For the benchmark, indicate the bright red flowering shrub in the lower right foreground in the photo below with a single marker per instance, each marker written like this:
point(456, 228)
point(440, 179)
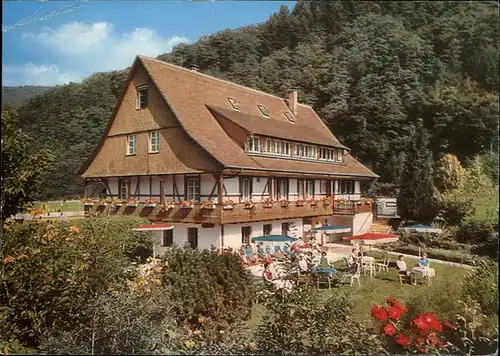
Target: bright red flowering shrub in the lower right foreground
point(424, 333)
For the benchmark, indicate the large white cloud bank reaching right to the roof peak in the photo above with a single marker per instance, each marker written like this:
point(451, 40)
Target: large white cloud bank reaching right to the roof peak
point(82, 49)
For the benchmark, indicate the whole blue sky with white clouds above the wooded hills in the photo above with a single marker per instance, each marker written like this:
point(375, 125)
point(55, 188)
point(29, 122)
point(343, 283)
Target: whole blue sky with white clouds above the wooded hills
point(102, 36)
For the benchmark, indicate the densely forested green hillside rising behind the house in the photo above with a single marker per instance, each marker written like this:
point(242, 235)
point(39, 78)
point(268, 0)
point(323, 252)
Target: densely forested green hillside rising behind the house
point(369, 69)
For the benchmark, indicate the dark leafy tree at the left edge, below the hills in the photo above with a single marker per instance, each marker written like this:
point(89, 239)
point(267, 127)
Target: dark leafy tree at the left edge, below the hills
point(23, 168)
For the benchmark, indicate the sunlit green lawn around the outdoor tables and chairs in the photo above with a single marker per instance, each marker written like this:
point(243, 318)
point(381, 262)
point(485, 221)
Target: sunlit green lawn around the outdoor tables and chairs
point(384, 285)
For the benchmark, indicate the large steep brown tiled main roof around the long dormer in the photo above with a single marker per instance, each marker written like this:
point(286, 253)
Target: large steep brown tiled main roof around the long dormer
point(189, 94)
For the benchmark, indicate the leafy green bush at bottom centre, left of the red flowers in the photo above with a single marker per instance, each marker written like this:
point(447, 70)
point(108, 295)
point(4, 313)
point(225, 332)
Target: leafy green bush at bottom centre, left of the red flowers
point(299, 322)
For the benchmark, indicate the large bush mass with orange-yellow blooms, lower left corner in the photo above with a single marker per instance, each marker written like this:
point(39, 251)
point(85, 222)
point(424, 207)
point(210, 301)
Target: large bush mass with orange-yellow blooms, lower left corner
point(51, 271)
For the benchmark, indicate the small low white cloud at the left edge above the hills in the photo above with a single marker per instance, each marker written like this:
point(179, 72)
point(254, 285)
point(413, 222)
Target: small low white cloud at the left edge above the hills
point(32, 74)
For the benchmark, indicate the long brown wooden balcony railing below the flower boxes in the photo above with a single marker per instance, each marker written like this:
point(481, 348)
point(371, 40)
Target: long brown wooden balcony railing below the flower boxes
point(238, 213)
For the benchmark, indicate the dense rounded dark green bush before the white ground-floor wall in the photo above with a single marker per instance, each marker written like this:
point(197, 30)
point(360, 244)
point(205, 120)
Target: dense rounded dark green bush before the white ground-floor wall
point(210, 285)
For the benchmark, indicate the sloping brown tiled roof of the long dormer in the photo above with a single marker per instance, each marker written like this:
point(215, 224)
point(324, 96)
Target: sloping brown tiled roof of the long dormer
point(277, 128)
